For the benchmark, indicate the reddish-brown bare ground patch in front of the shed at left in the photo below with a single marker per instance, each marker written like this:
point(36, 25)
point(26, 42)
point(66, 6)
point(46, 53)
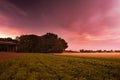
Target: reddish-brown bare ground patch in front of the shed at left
point(4, 56)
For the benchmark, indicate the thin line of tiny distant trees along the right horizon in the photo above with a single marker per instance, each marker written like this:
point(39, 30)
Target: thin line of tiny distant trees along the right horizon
point(99, 51)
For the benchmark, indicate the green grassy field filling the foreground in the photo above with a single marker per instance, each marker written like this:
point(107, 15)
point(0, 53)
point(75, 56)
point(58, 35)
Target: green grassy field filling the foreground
point(52, 67)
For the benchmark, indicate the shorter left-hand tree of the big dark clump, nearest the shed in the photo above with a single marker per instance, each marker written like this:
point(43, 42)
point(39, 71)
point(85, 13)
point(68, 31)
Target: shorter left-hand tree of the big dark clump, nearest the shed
point(27, 43)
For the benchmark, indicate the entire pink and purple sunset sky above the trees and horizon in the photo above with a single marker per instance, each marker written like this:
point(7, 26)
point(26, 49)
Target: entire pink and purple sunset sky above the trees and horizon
point(84, 24)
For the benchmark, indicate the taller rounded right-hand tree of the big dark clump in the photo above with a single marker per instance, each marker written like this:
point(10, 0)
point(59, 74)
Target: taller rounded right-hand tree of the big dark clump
point(51, 43)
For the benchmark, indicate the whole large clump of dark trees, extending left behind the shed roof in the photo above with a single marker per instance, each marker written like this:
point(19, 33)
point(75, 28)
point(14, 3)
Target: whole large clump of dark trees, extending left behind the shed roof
point(48, 43)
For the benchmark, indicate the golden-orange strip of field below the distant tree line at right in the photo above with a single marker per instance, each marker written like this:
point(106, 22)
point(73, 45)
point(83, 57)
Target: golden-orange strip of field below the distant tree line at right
point(96, 55)
